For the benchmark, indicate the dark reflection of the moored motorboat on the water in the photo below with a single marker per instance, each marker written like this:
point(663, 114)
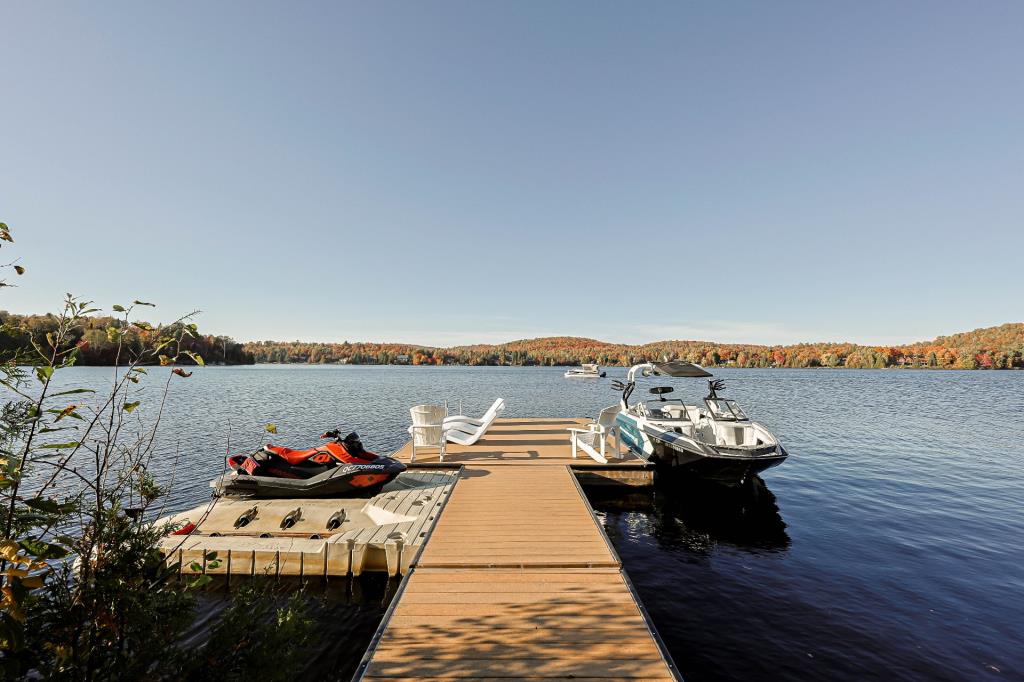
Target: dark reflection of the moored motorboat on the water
point(701, 516)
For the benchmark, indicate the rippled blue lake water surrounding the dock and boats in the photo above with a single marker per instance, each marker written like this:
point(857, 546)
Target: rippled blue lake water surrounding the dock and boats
point(889, 546)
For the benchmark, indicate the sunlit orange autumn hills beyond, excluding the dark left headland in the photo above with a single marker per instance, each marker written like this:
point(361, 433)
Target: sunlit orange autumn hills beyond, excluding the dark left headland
point(994, 348)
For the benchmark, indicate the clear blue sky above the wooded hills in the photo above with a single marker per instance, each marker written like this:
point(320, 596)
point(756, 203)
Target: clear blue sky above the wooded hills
point(441, 173)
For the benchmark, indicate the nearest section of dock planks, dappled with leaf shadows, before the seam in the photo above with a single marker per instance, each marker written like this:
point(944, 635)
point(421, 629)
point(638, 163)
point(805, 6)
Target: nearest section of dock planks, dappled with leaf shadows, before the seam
point(529, 624)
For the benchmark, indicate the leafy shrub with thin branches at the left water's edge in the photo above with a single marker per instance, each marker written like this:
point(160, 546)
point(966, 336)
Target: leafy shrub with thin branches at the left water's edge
point(86, 594)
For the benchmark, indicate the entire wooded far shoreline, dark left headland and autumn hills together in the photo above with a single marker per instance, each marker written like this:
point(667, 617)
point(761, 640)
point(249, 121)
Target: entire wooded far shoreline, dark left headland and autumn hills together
point(991, 349)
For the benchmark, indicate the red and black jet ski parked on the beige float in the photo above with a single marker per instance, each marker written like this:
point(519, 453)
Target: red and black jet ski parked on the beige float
point(339, 468)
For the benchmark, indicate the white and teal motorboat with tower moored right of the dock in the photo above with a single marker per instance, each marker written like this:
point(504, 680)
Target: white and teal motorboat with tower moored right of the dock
point(714, 441)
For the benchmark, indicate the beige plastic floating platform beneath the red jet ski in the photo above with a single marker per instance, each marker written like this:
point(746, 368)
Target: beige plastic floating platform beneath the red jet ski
point(380, 534)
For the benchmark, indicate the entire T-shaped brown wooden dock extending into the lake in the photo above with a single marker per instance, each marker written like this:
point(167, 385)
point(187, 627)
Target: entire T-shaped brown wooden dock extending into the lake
point(518, 579)
